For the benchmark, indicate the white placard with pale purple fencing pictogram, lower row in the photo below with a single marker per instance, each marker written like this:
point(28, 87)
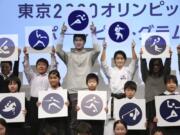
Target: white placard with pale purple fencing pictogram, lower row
point(52, 104)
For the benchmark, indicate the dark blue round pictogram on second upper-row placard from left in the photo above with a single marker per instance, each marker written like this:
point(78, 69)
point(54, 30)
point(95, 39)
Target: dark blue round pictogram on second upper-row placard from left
point(38, 39)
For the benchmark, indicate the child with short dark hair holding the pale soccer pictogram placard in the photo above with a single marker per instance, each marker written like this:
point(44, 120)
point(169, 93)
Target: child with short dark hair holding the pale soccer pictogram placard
point(92, 81)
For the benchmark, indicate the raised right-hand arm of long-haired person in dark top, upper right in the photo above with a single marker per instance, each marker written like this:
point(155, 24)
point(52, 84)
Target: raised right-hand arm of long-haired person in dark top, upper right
point(167, 65)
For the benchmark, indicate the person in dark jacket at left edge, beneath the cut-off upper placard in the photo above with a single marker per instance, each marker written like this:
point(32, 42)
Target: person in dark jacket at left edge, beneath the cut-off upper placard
point(8, 70)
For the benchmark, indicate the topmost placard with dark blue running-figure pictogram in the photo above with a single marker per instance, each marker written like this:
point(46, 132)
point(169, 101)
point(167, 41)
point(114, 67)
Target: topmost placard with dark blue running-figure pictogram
point(78, 20)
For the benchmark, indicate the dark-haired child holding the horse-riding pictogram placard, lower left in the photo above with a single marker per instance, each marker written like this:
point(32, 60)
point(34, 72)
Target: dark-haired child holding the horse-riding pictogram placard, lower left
point(14, 85)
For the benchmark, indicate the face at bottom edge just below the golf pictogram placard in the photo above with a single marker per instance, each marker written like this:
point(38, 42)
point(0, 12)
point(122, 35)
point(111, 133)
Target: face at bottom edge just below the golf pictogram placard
point(120, 129)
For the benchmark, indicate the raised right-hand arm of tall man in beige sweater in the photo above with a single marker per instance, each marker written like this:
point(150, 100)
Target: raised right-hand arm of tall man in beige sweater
point(96, 48)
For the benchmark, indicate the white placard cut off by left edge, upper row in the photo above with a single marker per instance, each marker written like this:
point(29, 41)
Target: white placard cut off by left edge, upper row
point(9, 47)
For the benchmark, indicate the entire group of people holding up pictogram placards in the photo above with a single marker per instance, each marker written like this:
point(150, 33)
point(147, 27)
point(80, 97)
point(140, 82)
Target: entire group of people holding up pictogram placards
point(79, 76)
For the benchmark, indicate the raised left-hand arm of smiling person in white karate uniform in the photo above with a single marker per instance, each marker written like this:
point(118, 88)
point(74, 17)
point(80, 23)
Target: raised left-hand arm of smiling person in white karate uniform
point(105, 67)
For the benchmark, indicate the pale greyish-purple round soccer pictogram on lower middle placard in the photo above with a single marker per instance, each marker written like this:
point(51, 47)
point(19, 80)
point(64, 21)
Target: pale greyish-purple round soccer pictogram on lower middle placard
point(92, 104)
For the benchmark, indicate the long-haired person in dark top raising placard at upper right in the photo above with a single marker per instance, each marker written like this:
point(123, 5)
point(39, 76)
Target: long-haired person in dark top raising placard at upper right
point(153, 79)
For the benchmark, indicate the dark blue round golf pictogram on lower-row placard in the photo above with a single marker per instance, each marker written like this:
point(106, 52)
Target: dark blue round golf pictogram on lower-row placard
point(131, 113)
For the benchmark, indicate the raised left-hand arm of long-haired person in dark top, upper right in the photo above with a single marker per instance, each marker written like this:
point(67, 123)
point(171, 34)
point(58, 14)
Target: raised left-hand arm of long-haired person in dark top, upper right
point(144, 69)
